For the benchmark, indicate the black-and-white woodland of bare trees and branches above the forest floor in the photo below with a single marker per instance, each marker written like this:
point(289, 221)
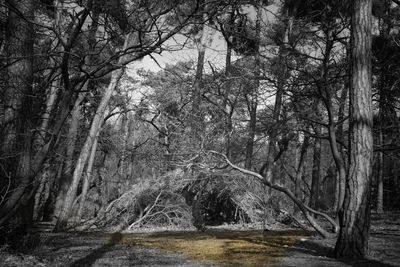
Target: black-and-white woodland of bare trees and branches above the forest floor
point(299, 123)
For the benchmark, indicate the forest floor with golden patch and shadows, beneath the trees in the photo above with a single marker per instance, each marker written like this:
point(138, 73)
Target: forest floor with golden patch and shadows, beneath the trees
point(218, 246)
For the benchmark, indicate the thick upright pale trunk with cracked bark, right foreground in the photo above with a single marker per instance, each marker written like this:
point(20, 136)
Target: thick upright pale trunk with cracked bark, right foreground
point(355, 219)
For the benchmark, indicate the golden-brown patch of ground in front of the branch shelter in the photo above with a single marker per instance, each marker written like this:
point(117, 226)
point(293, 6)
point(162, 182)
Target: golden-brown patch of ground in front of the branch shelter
point(236, 248)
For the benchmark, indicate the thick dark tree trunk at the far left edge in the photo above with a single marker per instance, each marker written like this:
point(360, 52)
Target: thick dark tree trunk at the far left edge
point(16, 147)
